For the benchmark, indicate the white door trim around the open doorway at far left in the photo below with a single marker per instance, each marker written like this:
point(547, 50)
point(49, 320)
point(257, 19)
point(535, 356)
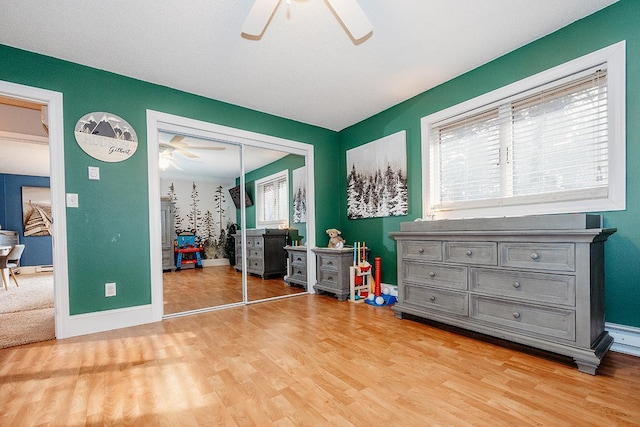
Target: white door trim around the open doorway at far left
point(53, 100)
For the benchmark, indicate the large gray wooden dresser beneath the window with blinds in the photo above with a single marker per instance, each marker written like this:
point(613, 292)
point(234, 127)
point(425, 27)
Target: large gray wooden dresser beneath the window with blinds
point(536, 280)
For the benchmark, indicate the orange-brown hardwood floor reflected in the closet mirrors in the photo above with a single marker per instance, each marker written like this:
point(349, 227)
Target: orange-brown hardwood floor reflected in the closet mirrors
point(193, 289)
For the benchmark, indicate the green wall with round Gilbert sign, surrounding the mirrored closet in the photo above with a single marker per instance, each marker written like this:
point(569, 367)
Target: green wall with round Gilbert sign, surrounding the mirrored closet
point(107, 236)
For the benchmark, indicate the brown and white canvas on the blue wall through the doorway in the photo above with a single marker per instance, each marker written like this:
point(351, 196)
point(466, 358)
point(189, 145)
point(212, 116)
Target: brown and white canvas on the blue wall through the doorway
point(36, 211)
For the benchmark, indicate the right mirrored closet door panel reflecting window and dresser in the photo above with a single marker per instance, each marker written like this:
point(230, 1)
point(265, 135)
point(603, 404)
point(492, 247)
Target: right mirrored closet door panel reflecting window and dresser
point(276, 224)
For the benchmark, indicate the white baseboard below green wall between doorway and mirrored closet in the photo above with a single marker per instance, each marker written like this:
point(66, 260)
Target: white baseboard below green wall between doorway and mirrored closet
point(101, 321)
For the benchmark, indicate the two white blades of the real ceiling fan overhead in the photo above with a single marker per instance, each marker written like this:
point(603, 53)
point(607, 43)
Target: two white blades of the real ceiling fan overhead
point(347, 11)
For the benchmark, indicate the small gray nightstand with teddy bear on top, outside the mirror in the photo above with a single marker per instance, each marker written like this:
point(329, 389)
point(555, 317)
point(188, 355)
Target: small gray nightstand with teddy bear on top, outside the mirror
point(332, 268)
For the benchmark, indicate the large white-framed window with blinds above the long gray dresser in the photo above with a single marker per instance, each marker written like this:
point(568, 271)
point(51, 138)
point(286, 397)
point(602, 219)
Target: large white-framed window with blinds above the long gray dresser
point(548, 144)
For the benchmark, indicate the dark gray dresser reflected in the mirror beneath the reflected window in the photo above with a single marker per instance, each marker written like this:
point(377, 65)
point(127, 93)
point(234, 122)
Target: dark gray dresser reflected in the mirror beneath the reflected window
point(265, 252)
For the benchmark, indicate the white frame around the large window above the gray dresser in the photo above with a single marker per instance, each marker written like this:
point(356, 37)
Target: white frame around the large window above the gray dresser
point(613, 57)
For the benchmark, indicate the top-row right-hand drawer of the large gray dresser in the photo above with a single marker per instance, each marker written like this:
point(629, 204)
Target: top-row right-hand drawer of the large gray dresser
point(539, 256)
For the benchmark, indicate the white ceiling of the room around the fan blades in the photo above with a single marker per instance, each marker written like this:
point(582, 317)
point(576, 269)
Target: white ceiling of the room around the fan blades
point(305, 67)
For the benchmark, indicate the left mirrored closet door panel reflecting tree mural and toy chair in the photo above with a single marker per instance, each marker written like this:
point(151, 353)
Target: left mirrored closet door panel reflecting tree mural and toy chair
point(198, 220)
